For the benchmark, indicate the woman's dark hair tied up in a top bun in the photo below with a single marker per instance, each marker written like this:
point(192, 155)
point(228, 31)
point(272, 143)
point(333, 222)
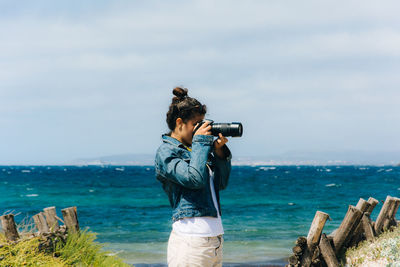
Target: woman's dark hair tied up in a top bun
point(183, 107)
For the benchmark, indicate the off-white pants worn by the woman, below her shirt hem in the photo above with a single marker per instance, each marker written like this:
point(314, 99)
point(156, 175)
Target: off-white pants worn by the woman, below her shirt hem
point(193, 251)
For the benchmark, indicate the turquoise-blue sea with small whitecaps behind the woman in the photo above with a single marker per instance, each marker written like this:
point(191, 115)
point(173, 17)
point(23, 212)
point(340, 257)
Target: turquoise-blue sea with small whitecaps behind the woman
point(264, 208)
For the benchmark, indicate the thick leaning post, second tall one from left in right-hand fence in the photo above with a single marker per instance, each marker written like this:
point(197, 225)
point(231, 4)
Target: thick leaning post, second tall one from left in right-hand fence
point(352, 218)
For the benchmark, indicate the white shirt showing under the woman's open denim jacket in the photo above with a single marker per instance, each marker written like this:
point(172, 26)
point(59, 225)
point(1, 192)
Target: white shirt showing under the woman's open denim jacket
point(201, 226)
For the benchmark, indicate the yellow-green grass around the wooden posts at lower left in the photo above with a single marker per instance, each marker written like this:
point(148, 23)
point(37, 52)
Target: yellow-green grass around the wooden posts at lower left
point(77, 250)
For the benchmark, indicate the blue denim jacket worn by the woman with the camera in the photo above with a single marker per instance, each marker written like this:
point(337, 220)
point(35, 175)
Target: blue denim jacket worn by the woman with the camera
point(185, 176)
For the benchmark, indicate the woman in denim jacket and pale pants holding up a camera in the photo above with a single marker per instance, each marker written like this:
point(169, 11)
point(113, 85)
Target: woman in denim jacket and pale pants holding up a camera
point(193, 168)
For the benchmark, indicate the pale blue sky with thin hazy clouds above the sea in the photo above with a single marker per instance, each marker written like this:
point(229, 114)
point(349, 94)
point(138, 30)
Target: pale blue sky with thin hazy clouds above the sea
point(84, 79)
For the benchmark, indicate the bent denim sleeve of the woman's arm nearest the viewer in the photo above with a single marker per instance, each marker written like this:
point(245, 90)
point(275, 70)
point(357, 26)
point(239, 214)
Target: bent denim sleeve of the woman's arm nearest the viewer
point(192, 174)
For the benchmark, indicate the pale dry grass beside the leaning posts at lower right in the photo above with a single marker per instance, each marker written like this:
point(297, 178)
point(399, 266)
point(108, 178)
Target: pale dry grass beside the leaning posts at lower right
point(383, 251)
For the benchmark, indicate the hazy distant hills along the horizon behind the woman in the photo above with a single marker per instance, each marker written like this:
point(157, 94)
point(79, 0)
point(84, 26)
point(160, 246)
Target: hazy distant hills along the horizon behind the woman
point(287, 158)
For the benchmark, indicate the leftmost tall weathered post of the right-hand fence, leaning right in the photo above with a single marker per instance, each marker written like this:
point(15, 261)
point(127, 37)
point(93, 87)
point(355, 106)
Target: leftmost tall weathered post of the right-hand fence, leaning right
point(313, 237)
